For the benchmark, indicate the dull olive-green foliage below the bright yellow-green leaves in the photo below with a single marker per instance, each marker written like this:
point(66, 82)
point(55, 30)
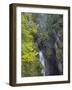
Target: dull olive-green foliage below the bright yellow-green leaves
point(31, 68)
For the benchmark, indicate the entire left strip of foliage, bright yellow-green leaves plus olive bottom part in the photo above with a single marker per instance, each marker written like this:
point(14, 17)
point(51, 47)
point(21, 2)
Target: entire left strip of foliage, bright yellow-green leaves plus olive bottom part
point(29, 52)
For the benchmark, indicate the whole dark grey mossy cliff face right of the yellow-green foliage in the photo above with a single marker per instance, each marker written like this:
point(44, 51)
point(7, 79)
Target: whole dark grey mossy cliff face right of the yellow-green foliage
point(49, 39)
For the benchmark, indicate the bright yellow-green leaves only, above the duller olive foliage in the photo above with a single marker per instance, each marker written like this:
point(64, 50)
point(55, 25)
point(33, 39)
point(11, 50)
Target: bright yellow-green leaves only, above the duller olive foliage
point(28, 29)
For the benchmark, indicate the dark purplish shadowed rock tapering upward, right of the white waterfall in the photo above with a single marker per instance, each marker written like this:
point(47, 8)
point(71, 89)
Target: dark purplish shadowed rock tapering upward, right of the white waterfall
point(53, 65)
